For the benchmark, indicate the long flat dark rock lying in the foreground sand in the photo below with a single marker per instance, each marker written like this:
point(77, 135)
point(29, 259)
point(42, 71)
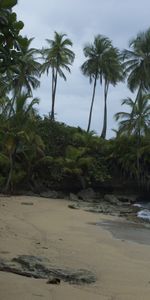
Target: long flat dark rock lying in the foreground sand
point(38, 267)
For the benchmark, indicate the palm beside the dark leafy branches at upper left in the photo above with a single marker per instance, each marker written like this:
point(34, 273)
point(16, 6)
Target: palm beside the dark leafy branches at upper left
point(24, 74)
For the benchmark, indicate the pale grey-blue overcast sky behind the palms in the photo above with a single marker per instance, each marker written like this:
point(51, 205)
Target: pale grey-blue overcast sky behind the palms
point(81, 20)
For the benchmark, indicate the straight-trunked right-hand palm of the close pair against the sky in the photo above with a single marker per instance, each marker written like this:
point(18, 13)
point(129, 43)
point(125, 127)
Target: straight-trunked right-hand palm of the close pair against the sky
point(112, 74)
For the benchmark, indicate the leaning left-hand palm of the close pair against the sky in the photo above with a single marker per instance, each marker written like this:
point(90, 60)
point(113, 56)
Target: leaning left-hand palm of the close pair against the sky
point(92, 67)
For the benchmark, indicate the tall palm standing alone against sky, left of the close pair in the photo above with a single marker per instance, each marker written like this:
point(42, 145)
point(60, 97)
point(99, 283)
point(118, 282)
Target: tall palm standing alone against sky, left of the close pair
point(57, 57)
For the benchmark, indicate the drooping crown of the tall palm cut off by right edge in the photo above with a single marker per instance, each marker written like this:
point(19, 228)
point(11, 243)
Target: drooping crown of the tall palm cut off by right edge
point(137, 63)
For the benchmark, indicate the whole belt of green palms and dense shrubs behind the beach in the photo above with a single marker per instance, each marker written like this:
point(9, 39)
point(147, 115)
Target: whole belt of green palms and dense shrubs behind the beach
point(37, 152)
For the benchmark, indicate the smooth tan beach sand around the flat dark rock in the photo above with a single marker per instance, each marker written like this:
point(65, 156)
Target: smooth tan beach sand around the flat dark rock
point(68, 238)
